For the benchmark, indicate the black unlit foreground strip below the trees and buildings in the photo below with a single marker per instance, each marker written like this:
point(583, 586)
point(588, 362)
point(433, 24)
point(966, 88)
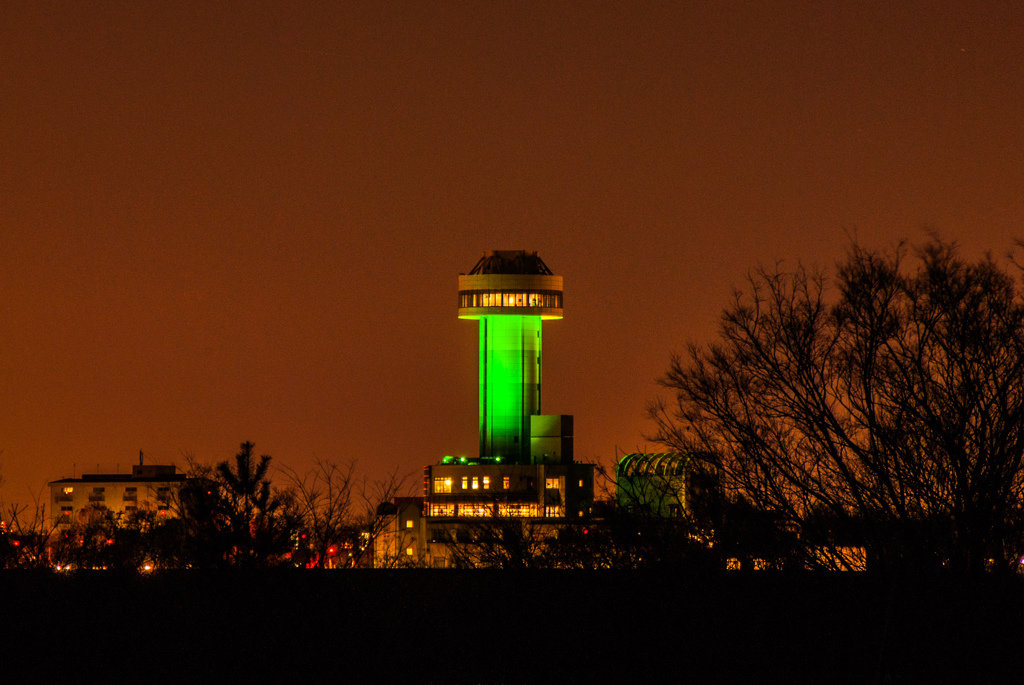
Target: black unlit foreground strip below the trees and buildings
point(485, 627)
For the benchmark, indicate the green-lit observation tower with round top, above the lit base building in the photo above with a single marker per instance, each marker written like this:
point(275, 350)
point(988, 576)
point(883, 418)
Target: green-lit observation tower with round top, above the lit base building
point(510, 293)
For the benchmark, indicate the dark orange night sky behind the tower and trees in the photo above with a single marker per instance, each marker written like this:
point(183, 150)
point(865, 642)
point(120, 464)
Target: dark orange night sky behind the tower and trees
point(230, 222)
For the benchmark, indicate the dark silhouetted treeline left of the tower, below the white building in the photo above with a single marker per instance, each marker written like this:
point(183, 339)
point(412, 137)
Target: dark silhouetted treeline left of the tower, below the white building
point(230, 516)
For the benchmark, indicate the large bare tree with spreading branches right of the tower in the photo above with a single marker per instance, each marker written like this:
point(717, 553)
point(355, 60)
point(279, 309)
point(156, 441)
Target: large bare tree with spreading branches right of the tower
point(885, 405)
